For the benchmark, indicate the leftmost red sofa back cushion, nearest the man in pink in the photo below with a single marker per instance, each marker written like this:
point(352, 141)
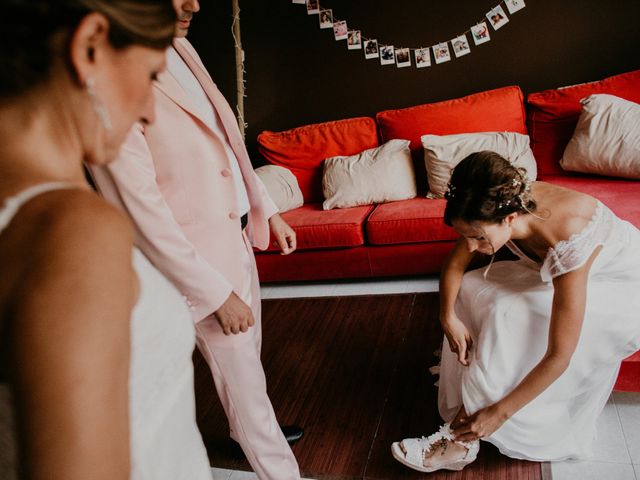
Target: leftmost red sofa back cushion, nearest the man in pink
point(302, 150)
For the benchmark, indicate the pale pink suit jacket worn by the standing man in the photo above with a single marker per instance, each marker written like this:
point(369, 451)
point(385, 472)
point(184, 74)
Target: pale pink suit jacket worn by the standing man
point(174, 180)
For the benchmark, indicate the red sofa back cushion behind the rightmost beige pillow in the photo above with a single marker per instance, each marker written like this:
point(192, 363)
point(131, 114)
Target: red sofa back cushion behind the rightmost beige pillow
point(552, 115)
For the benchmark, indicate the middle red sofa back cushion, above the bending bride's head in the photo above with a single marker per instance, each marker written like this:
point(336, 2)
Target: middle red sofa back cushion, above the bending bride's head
point(491, 111)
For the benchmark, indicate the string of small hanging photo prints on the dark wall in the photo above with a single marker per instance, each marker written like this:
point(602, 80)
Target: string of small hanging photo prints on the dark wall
point(401, 57)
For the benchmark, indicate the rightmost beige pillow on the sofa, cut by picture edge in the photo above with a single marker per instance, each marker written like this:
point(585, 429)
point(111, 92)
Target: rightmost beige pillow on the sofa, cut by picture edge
point(607, 138)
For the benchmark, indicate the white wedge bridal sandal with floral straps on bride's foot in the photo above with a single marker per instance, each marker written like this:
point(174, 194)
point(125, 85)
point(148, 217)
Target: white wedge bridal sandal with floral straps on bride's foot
point(417, 448)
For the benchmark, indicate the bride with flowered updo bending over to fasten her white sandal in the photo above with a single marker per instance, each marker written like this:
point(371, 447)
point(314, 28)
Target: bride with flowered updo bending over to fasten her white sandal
point(532, 347)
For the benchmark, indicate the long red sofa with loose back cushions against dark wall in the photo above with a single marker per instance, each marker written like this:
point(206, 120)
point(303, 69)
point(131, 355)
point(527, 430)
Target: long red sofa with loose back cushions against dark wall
point(409, 237)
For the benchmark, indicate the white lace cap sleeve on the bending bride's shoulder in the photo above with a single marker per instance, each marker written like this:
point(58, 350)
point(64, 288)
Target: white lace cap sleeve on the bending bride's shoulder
point(571, 254)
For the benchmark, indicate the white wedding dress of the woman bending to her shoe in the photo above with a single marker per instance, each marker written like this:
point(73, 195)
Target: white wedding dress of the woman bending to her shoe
point(508, 318)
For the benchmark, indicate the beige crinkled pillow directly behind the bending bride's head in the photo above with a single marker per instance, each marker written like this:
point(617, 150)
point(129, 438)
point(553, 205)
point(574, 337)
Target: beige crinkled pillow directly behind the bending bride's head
point(443, 152)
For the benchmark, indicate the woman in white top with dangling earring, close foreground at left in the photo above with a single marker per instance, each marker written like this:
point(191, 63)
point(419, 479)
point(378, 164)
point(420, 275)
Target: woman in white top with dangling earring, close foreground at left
point(96, 379)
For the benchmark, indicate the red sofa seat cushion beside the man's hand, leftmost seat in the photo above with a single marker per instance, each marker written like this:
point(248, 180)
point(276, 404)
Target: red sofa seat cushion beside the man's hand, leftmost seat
point(318, 228)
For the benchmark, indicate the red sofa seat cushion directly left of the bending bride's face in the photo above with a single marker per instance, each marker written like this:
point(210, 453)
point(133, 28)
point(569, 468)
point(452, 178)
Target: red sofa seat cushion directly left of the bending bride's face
point(409, 221)
